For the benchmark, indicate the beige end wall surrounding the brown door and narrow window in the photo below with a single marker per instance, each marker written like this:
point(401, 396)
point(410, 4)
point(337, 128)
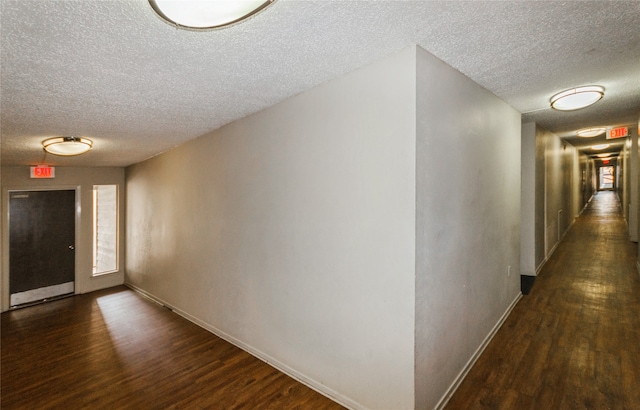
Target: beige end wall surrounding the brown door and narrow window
point(81, 180)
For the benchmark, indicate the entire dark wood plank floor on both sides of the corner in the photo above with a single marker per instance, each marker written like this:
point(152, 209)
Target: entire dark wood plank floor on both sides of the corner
point(573, 343)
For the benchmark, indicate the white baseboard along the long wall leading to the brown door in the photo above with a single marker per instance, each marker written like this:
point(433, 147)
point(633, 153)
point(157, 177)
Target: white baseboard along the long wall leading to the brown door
point(312, 384)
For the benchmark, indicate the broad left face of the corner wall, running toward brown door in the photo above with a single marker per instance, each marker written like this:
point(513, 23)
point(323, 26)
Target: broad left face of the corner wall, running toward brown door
point(292, 233)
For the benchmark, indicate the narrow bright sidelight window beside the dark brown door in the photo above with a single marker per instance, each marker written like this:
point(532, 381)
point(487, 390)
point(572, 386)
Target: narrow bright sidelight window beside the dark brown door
point(105, 229)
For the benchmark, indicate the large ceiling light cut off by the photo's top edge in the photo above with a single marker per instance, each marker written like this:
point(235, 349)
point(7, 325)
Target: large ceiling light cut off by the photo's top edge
point(207, 14)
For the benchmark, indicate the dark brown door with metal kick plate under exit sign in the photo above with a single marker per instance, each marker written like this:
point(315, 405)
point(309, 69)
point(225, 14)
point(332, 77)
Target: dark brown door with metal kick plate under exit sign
point(41, 243)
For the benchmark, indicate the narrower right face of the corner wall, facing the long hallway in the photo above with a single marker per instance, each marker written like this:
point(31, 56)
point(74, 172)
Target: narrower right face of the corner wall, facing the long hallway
point(468, 222)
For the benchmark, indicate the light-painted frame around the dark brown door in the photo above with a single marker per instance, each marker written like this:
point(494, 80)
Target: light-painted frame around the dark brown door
point(5, 296)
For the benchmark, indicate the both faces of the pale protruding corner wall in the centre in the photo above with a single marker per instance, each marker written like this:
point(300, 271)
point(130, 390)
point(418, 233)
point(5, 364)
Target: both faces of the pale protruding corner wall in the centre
point(294, 233)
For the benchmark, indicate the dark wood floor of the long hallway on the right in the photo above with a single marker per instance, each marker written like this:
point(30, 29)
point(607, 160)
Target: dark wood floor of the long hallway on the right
point(574, 341)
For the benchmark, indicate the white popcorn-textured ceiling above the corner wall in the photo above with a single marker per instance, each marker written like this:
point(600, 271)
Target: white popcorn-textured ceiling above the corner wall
point(112, 71)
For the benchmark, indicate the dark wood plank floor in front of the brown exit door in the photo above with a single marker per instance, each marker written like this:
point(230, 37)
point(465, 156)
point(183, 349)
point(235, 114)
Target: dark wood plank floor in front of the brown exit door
point(114, 349)
